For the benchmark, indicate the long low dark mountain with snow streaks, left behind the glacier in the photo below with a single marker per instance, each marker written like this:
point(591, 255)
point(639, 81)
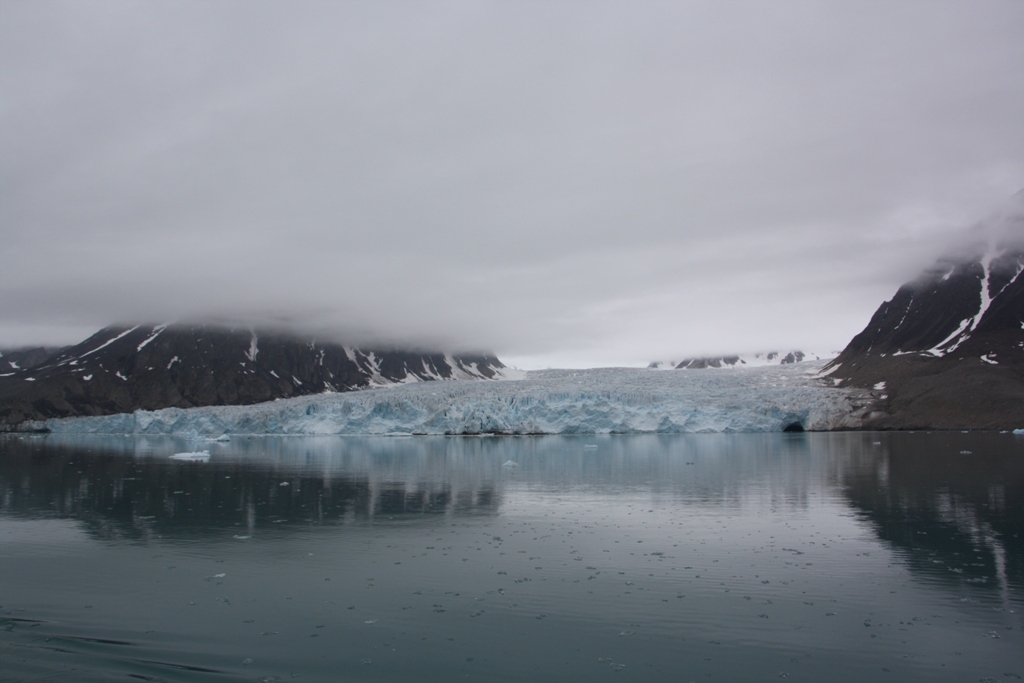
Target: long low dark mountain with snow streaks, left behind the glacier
point(122, 369)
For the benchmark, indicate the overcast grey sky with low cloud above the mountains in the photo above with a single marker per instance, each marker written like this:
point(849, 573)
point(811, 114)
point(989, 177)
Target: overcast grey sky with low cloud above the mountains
point(568, 184)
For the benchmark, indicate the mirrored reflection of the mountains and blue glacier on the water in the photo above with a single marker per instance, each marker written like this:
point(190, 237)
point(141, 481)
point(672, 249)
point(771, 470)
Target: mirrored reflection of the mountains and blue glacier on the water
point(954, 513)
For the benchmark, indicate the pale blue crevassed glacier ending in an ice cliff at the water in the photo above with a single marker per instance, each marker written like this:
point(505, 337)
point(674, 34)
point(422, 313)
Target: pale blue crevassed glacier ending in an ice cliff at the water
point(550, 402)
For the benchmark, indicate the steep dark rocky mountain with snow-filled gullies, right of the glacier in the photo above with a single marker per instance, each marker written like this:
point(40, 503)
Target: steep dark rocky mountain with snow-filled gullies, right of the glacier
point(948, 352)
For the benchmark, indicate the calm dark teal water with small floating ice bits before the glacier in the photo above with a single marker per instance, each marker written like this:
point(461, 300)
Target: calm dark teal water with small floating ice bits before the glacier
point(813, 558)
